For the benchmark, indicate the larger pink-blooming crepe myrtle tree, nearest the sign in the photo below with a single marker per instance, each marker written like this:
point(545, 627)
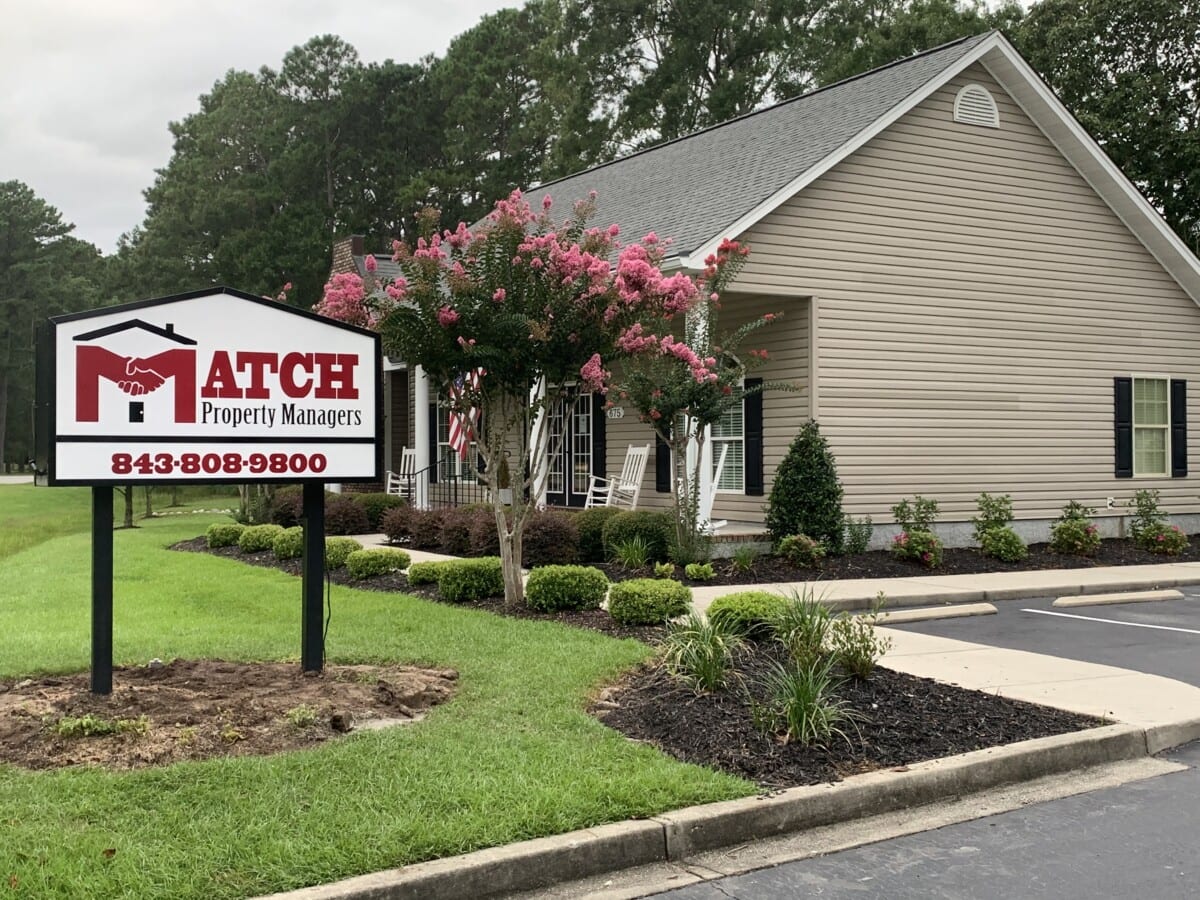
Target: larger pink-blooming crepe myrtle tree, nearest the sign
point(530, 305)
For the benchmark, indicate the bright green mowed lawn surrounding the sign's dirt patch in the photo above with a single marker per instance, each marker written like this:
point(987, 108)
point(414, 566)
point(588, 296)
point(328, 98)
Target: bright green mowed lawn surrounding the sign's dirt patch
point(513, 757)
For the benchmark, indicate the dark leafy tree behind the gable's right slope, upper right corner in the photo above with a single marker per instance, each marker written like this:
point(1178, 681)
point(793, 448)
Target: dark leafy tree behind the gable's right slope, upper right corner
point(1131, 74)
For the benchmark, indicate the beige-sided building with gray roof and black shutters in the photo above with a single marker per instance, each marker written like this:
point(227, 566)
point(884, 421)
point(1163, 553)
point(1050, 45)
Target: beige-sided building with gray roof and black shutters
point(974, 297)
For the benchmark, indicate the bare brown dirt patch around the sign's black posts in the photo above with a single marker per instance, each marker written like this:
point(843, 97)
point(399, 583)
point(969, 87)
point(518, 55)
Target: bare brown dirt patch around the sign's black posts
point(197, 710)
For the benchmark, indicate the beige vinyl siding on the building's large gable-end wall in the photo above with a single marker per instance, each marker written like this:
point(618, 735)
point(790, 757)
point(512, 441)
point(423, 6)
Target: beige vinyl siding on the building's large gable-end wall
point(976, 298)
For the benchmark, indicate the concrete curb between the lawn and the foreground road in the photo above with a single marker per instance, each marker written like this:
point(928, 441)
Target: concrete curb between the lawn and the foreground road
point(673, 837)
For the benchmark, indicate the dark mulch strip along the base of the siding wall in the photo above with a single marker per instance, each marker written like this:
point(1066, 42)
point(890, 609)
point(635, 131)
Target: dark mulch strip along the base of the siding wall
point(881, 565)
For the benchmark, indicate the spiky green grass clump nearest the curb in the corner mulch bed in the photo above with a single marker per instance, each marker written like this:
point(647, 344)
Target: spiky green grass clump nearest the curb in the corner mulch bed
point(802, 705)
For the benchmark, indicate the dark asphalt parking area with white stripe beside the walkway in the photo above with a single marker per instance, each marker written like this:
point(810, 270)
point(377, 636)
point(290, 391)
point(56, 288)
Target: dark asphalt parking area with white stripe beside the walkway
point(1161, 638)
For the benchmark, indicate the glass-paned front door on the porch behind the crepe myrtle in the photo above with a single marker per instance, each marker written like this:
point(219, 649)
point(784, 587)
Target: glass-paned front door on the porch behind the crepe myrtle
point(577, 449)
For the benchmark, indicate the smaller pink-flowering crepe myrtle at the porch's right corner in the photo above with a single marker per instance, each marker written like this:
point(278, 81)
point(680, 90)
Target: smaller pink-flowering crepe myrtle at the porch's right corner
point(685, 386)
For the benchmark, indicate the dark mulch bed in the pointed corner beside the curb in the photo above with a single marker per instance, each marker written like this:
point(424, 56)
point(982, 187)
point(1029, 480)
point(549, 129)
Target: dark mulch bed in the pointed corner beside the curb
point(904, 721)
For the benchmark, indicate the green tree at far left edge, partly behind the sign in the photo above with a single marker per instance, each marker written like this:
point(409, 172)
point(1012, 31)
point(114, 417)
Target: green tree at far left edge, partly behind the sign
point(44, 272)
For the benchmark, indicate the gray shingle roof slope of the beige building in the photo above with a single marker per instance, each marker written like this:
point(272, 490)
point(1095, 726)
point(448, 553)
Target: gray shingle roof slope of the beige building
point(695, 188)
